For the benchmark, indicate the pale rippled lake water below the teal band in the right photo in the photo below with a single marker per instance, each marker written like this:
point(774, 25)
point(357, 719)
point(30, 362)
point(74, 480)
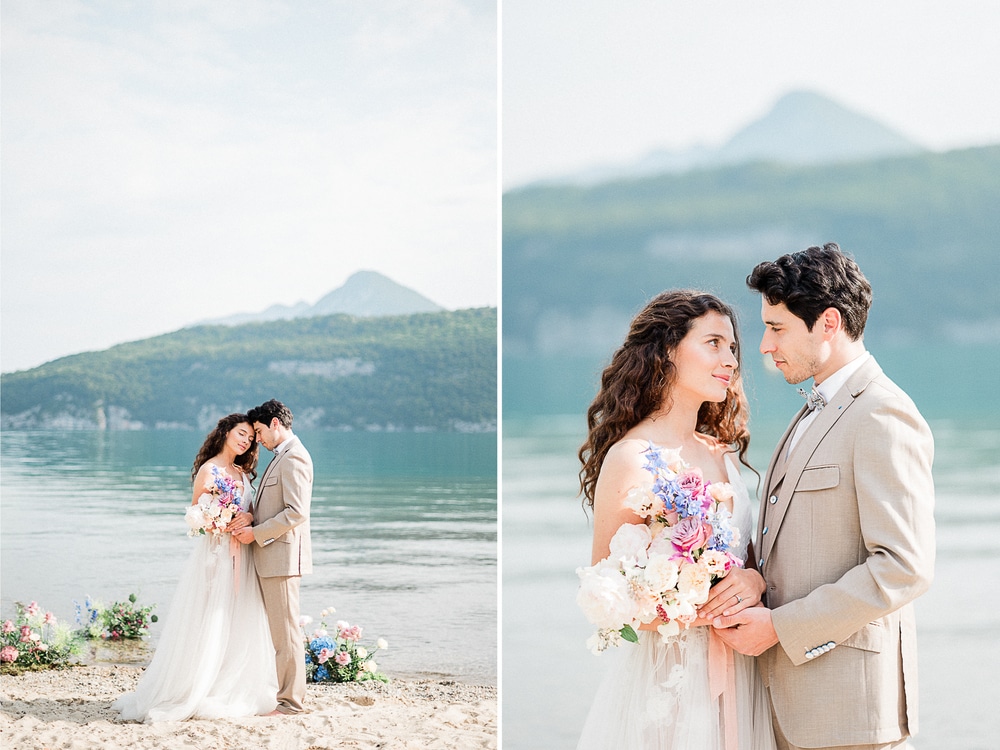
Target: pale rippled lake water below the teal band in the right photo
point(549, 677)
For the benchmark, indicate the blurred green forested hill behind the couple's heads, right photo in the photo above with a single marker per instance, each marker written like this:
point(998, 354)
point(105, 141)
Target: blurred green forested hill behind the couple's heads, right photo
point(579, 262)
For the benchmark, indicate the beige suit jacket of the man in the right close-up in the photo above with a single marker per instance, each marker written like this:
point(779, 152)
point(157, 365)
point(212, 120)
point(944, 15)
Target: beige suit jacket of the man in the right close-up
point(845, 541)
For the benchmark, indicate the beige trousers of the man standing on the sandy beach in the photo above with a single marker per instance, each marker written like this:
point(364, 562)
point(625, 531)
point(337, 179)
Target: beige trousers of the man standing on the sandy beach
point(281, 602)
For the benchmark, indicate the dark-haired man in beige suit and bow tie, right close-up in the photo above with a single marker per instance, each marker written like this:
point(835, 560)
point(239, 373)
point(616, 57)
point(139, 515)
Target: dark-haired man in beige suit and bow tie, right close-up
point(845, 538)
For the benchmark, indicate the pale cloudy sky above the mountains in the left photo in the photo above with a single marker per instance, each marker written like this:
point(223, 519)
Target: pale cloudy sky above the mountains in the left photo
point(175, 160)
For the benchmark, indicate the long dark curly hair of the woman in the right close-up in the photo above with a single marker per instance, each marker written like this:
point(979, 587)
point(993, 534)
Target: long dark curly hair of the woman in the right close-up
point(638, 381)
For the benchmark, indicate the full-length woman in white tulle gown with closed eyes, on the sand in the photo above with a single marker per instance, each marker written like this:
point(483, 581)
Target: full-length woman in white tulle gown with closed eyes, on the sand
point(215, 657)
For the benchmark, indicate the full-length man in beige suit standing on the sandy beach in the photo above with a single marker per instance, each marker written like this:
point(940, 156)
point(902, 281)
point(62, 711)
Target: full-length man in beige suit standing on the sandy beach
point(284, 552)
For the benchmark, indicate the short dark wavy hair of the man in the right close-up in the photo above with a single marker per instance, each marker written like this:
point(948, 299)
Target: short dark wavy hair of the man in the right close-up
point(813, 280)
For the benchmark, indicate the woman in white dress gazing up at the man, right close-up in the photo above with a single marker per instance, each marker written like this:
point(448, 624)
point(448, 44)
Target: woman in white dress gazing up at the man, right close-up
point(674, 384)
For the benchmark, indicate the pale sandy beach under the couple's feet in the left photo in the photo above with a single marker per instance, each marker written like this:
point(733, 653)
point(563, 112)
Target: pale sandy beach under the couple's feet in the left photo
point(70, 708)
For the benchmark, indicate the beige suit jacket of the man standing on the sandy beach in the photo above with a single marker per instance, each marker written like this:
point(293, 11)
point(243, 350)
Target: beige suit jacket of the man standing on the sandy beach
point(281, 514)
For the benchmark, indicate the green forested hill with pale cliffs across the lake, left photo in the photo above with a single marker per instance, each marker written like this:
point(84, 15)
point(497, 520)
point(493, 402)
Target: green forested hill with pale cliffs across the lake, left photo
point(422, 371)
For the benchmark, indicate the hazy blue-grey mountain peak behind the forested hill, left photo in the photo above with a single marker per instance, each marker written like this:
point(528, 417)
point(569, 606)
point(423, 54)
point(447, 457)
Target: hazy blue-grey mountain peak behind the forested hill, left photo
point(366, 294)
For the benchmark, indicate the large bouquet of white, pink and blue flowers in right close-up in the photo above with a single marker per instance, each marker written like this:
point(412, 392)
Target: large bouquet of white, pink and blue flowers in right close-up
point(662, 568)
